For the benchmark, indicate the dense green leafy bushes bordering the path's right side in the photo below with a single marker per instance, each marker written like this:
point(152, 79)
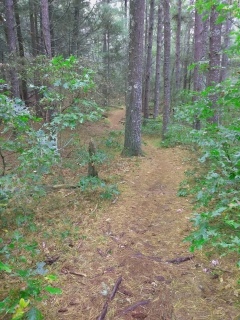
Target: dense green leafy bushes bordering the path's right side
point(215, 185)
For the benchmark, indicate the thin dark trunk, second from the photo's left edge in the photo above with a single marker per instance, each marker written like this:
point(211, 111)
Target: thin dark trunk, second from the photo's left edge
point(24, 92)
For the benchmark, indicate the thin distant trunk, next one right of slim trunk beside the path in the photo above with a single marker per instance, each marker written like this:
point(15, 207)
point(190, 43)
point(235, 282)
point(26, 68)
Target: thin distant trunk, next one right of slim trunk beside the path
point(178, 46)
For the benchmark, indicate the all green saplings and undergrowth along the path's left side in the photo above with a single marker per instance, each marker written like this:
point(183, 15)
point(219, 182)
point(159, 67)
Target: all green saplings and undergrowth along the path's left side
point(35, 156)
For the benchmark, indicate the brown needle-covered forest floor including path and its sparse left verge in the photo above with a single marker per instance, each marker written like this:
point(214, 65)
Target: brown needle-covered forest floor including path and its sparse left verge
point(125, 258)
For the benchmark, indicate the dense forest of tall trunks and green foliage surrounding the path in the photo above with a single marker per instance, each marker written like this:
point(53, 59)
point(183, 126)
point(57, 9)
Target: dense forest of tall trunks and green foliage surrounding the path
point(64, 63)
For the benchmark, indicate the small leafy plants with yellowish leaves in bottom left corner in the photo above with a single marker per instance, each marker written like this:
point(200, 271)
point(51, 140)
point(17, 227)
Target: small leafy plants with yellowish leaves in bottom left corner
point(30, 281)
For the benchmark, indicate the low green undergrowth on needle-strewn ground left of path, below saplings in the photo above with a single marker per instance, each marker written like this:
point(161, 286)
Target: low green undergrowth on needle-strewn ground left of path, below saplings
point(26, 274)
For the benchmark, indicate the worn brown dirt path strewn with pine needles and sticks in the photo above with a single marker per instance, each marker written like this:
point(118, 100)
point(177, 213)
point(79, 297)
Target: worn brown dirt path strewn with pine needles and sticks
point(135, 238)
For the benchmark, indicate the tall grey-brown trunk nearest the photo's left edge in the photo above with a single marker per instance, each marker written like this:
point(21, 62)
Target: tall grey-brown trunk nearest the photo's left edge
point(12, 46)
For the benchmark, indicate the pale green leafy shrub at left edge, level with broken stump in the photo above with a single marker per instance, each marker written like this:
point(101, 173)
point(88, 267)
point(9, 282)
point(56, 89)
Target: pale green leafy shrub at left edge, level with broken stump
point(34, 151)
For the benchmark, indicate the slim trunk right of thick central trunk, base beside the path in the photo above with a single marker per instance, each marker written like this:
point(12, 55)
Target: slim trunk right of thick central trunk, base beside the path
point(166, 68)
